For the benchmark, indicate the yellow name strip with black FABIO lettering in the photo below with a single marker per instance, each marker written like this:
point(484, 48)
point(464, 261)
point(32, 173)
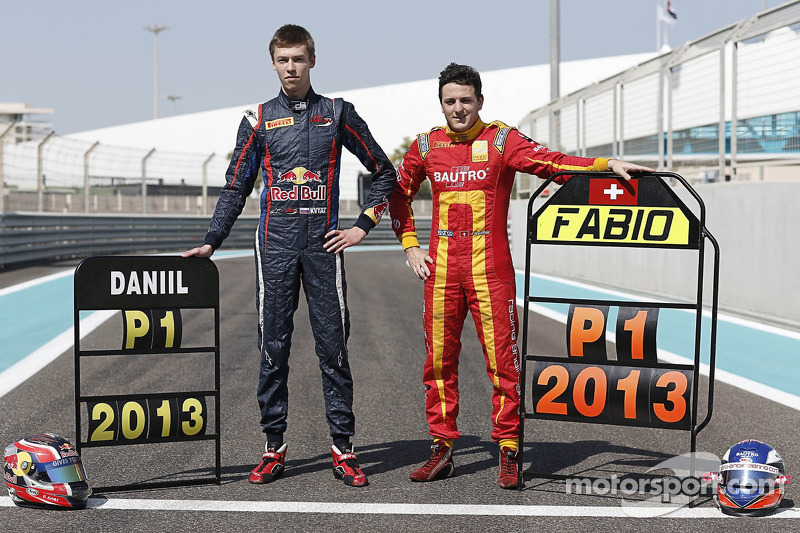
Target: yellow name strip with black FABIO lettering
point(613, 225)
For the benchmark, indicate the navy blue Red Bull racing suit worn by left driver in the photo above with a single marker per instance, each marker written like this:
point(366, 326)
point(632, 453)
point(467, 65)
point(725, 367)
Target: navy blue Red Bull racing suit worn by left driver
point(298, 146)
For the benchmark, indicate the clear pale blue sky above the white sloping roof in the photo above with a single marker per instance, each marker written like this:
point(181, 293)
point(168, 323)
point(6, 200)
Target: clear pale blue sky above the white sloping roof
point(92, 61)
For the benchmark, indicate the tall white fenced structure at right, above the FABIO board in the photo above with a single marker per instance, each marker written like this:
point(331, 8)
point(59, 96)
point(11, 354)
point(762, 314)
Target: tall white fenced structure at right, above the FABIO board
point(724, 107)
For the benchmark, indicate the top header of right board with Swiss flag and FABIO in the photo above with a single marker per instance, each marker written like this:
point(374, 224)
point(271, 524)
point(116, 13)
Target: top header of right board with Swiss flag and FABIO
point(609, 211)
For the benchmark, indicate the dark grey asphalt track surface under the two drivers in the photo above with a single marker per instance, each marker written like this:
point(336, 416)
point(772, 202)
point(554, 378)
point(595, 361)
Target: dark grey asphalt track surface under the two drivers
point(386, 357)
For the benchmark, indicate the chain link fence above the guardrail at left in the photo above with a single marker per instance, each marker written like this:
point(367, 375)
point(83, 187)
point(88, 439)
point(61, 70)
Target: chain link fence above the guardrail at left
point(59, 174)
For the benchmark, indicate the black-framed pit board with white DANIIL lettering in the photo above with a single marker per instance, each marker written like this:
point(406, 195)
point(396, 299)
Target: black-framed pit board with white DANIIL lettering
point(130, 283)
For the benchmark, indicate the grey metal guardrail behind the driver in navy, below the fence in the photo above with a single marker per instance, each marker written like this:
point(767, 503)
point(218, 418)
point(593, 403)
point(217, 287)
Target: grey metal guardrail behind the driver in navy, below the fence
point(29, 238)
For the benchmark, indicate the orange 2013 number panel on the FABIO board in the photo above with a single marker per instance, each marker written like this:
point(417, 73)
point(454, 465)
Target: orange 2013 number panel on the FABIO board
point(613, 393)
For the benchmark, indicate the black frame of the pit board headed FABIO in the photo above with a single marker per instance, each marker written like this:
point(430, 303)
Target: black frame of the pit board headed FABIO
point(575, 216)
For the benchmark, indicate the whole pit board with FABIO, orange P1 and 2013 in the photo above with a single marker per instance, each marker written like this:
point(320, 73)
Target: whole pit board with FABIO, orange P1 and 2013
point(611, 372)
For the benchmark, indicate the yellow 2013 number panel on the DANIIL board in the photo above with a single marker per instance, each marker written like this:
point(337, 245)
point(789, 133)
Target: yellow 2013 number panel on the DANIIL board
point(147, 420)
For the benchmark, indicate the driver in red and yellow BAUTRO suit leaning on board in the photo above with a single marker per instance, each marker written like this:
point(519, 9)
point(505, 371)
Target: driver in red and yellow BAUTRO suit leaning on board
point(471, 166)
